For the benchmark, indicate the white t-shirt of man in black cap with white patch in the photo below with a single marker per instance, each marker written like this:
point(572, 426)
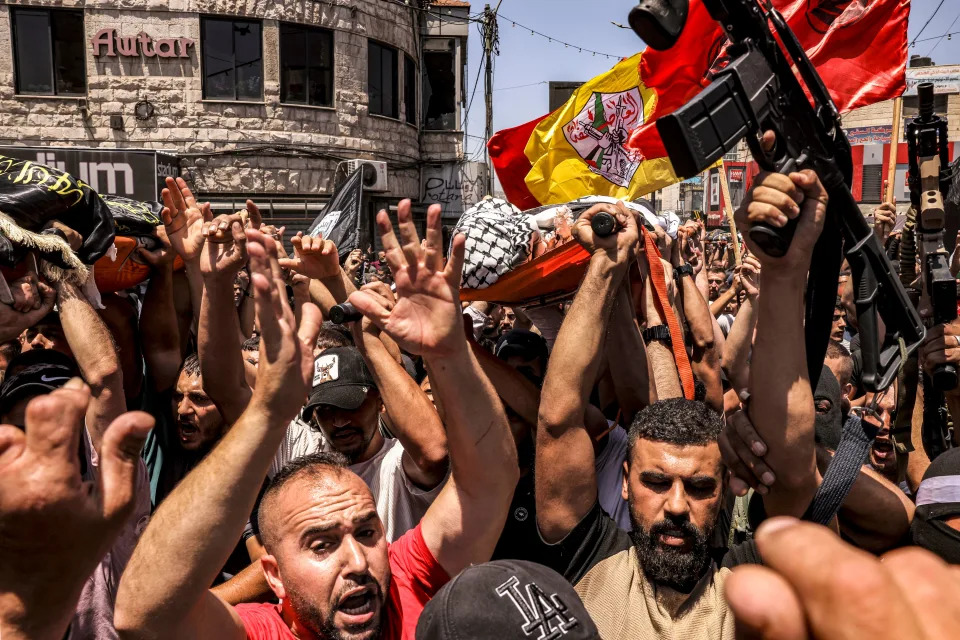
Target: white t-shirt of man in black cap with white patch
point(400, 503)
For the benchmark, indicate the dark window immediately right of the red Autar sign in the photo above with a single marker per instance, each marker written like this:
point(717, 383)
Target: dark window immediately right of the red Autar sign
point(232, 59)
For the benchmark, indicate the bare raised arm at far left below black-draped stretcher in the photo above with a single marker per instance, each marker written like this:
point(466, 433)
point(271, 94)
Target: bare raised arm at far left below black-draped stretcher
point(95, 353)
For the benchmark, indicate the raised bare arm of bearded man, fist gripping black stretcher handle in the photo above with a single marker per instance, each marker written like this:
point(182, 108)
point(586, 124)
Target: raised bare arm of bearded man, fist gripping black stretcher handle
point(566, 479)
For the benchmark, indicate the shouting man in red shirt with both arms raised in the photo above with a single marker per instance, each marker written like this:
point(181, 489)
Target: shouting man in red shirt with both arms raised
point(327, 558)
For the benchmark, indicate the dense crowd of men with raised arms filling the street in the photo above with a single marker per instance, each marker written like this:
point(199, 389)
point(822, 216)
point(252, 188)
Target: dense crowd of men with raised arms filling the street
point(208, 456)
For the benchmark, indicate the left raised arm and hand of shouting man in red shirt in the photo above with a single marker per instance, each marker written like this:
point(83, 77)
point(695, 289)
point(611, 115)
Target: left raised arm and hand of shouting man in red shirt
point(163, 592)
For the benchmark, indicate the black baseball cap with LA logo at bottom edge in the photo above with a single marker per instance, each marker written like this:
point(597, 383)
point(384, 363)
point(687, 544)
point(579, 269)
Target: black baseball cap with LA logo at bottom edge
point(506, 599)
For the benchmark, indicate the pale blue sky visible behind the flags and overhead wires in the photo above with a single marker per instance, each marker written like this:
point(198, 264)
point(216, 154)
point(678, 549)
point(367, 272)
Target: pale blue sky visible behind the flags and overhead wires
point(533, 60)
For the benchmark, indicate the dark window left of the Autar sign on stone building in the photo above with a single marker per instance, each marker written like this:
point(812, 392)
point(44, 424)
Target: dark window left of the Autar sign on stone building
point(49, 48)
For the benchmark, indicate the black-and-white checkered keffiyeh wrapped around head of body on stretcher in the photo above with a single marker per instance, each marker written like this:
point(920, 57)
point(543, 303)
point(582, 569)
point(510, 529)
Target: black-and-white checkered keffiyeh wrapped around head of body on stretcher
point(499, 238)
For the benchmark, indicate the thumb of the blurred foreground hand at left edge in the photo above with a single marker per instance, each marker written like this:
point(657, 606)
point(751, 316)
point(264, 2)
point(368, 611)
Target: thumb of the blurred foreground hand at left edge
point(119, 457)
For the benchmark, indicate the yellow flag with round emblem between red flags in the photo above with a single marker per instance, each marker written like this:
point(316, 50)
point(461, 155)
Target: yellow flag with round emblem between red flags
point(580, 149)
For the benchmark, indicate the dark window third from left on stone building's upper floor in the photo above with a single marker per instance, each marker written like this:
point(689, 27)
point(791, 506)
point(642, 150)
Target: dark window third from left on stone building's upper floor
point(306, 65)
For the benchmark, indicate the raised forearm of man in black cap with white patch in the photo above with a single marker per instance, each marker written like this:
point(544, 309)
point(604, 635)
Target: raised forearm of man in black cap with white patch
point(413, 419)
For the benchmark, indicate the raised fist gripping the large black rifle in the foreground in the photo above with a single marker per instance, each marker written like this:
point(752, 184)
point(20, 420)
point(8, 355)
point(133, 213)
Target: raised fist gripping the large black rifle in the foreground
point(775, 199)
